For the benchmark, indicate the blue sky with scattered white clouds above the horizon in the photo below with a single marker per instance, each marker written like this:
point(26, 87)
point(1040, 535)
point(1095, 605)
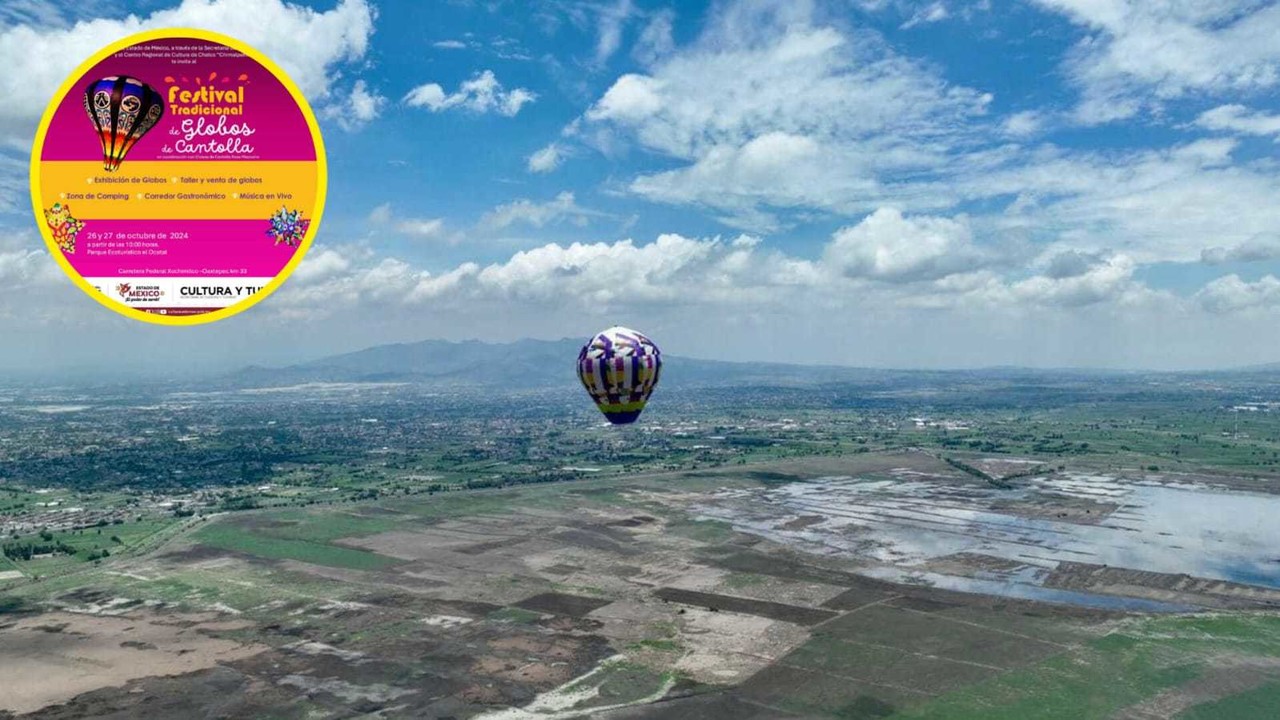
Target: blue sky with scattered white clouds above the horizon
point(870, 183)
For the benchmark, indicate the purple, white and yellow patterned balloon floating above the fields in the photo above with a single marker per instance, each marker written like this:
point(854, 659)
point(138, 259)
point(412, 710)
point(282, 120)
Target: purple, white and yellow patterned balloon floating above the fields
point(620, 368)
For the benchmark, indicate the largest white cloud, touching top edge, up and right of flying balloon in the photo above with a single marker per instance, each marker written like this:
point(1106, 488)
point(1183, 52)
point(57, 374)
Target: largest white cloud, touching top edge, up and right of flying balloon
point(771, 108)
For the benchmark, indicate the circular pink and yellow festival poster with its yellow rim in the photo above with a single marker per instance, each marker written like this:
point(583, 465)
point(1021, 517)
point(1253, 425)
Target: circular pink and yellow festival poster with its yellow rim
point(179, 177)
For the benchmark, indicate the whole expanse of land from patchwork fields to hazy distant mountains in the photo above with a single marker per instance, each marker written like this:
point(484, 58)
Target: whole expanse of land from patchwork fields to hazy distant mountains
point(348, 539)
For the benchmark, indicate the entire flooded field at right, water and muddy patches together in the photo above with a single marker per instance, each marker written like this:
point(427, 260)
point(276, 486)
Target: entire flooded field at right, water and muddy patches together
point(1151, 544)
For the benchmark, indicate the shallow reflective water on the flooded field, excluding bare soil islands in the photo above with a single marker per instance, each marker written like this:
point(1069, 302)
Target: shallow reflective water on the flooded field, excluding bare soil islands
point(899, 526)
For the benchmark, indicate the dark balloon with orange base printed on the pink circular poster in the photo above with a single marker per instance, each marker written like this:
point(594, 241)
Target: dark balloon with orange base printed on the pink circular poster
point(122, 110)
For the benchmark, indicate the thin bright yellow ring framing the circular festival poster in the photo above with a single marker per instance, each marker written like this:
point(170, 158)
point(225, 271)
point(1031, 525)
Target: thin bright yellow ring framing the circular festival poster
point(180, 34)
